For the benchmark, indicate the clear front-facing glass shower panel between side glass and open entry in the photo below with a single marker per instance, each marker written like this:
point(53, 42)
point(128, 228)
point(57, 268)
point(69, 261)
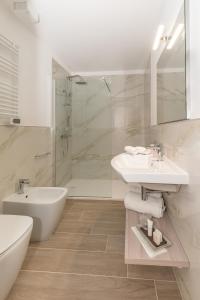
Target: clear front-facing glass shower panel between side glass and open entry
point(91, 139)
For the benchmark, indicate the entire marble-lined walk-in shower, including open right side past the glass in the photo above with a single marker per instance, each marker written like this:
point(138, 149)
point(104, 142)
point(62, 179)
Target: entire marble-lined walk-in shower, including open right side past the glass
point(95, 117)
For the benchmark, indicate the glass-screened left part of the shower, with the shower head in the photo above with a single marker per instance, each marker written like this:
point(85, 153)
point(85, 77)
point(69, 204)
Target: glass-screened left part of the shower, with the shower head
point(83, 142)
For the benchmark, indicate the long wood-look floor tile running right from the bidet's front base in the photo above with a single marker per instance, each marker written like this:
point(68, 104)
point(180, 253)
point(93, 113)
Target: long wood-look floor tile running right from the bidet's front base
point(74, 242)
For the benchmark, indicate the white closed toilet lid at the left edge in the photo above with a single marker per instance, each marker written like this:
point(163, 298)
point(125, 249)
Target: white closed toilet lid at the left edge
point(12, 228)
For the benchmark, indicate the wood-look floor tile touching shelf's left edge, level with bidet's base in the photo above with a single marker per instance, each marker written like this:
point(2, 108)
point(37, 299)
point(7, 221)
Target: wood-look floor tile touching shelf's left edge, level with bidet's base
point(109, 228)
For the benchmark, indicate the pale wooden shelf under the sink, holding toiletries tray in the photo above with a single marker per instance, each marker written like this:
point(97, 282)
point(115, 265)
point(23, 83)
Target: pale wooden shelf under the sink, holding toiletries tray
point(135, 253)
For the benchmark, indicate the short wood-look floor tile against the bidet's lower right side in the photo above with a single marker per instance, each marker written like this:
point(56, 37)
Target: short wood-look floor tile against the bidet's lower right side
point(74, 226)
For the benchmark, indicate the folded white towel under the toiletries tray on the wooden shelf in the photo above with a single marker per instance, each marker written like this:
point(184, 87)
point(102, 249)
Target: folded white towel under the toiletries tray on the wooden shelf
point(150, 251)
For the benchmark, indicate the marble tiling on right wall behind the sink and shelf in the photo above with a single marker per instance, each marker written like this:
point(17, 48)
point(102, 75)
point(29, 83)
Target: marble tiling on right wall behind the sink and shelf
point(181, 141)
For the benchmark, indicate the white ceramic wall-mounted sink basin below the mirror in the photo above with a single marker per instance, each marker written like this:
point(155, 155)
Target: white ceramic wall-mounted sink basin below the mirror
point(158, 172)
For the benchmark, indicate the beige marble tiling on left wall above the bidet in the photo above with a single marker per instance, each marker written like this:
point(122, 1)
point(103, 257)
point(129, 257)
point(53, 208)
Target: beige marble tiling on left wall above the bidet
point(18, 146)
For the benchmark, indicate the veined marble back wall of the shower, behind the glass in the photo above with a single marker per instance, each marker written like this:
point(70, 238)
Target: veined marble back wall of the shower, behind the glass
point(103, 123)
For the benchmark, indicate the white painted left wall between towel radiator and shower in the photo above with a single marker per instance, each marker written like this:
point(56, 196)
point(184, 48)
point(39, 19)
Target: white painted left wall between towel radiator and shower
point(35, 90)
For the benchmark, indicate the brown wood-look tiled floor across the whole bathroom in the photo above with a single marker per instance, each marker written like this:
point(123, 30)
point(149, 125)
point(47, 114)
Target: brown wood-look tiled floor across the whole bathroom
point(84, 260)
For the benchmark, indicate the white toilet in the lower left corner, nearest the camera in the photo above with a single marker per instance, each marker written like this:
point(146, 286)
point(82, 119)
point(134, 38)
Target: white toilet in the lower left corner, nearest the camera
point(15, 232)
